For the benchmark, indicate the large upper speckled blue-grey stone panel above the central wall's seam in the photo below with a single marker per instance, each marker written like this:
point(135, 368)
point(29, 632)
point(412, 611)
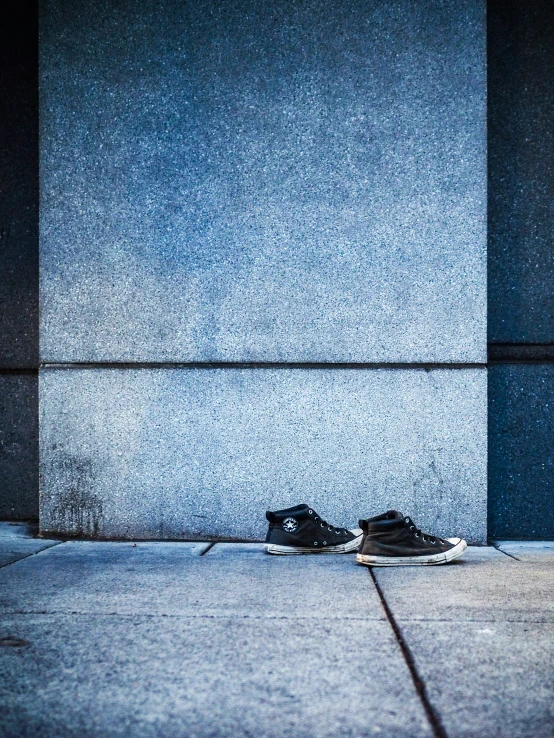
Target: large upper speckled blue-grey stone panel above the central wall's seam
point(263, 181)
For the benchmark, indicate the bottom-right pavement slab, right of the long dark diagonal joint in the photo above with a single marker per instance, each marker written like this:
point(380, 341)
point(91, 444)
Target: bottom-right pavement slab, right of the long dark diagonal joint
point(487, 680)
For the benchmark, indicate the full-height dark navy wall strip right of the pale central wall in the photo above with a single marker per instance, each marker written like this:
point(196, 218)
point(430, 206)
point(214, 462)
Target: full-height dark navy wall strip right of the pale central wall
point(521, 268)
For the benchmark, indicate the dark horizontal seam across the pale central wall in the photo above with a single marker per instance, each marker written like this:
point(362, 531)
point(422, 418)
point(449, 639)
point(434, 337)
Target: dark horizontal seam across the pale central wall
point(262, 365)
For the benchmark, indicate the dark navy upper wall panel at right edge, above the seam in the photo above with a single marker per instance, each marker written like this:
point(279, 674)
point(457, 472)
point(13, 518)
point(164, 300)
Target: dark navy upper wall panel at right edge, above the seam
point(521, 162)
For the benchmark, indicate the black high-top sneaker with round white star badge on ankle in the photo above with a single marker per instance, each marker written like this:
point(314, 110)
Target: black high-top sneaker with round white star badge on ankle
point(301, 530)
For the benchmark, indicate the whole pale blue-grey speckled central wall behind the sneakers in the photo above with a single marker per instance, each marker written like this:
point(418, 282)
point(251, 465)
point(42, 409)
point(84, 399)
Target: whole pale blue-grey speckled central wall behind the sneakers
point(289, 183)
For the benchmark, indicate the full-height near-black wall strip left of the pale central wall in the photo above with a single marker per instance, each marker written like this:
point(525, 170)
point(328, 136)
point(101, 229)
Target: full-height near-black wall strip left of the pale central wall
point(19, 274)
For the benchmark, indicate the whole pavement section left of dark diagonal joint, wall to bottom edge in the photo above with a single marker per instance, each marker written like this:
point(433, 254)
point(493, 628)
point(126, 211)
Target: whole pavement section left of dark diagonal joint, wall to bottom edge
point(169, 639)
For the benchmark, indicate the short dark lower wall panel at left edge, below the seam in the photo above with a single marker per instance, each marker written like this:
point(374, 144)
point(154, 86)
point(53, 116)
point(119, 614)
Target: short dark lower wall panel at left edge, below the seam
point(19, 445)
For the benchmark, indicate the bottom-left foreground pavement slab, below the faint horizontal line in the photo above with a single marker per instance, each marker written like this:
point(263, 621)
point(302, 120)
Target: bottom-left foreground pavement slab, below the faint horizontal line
point(134, 676)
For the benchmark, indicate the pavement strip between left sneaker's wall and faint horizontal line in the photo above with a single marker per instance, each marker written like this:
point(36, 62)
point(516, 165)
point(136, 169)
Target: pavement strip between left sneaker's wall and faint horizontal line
point(174, 579)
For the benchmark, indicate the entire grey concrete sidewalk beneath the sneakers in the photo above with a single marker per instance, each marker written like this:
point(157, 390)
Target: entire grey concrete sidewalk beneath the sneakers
point(196, 640)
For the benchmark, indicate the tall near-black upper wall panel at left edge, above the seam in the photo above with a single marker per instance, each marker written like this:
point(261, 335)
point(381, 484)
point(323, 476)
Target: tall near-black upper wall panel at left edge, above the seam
point(19, 269)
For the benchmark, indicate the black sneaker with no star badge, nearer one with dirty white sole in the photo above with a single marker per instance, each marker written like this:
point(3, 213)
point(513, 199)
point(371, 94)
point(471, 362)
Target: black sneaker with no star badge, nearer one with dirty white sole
point(391, 539)
